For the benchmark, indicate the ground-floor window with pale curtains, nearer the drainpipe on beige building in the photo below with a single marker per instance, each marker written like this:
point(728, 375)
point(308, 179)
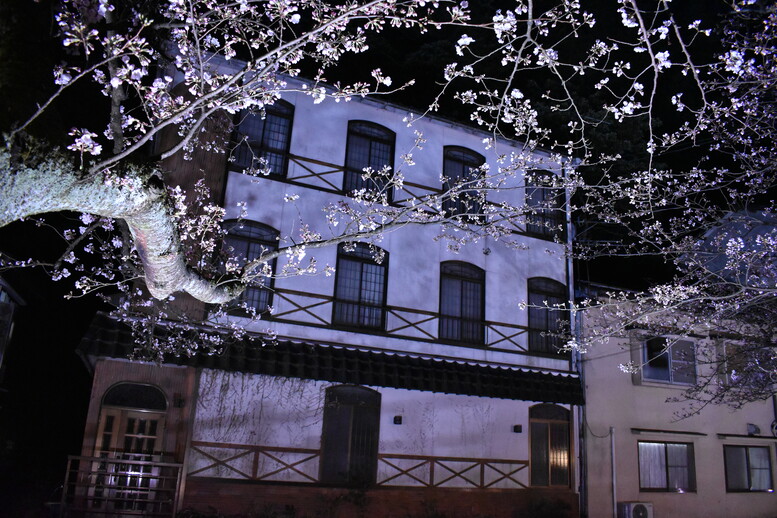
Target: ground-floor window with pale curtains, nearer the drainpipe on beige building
point(666, 466)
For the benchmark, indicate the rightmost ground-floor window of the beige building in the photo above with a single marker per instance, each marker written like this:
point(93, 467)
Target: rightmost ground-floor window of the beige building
point(748, 468)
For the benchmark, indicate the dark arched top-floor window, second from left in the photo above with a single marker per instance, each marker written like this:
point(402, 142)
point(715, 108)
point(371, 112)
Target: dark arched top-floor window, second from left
point(369, 146)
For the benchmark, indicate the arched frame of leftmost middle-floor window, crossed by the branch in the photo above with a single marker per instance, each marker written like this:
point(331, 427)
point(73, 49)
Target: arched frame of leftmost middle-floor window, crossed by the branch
point(261, 288)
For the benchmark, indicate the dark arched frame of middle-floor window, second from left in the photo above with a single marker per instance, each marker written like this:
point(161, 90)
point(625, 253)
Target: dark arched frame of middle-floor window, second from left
point(363, 254)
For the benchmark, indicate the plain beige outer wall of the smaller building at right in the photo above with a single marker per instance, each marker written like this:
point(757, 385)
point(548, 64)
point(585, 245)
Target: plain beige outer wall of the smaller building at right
point(612, 399)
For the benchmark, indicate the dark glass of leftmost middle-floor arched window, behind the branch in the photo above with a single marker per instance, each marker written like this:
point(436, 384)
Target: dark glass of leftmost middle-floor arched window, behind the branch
point(246, 241)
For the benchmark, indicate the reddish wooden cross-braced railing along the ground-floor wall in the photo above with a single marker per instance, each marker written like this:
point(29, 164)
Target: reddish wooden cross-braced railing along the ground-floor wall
point(301, 465)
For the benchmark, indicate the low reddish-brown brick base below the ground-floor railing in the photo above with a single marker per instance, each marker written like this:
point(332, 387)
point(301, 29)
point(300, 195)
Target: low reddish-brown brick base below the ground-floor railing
point(243, 498)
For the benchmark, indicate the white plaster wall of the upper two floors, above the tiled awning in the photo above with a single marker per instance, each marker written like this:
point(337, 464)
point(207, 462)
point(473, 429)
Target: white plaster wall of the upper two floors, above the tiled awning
point(320, 132)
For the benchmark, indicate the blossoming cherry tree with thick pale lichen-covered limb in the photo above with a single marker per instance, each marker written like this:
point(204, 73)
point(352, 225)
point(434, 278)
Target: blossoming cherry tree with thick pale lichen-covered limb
point(666, 122)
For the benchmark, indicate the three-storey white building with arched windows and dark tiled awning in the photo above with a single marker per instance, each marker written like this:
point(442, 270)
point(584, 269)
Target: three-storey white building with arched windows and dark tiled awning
point(395, 387)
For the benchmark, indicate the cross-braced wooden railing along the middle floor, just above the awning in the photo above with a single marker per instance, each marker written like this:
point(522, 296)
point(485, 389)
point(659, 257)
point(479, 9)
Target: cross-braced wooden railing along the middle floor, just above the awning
point(316, 309)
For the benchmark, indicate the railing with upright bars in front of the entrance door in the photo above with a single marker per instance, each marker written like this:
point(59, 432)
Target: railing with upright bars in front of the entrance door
point(125, 486)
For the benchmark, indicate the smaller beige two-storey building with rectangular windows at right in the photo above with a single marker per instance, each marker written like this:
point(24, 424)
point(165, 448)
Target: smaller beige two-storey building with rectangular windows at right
point(644, 460)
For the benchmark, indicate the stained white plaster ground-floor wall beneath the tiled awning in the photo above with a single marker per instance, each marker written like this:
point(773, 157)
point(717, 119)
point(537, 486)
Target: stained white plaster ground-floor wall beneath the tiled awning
point(244, 410)
